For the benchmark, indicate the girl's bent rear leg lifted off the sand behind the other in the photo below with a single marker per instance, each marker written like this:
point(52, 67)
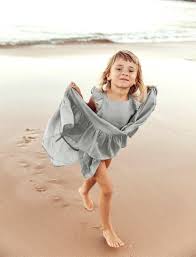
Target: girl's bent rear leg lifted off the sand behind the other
point(85, 188)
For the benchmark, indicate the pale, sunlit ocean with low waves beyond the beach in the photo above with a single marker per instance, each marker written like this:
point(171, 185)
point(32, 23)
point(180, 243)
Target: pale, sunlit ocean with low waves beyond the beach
point(149, 21)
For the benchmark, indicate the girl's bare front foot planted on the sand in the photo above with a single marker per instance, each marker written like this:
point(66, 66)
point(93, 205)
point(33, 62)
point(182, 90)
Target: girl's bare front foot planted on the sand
point(111, 238)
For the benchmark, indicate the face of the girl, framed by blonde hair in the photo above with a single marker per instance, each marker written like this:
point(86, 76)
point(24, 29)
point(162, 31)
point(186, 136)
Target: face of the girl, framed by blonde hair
point(123, 73)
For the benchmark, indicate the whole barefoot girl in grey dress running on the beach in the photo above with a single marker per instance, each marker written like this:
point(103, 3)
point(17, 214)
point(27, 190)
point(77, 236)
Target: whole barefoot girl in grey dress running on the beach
point(120, 105)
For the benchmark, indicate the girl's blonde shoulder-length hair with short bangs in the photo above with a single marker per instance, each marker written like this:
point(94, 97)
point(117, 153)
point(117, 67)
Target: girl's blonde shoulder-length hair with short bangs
point(127, 56)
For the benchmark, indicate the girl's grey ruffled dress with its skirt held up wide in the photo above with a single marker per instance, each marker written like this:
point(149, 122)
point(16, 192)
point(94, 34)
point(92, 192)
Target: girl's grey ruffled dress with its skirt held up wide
point(76, 133)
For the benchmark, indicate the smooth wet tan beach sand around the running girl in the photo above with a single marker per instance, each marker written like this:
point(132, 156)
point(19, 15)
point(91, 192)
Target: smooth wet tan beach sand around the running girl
point(154, 199)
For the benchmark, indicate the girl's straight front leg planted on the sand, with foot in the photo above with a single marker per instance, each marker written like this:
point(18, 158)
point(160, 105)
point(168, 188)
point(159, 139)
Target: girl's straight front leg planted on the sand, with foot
point(105, 206)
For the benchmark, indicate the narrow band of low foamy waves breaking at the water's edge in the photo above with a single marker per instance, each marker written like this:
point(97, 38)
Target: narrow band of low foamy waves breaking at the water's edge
point(100, 38)
